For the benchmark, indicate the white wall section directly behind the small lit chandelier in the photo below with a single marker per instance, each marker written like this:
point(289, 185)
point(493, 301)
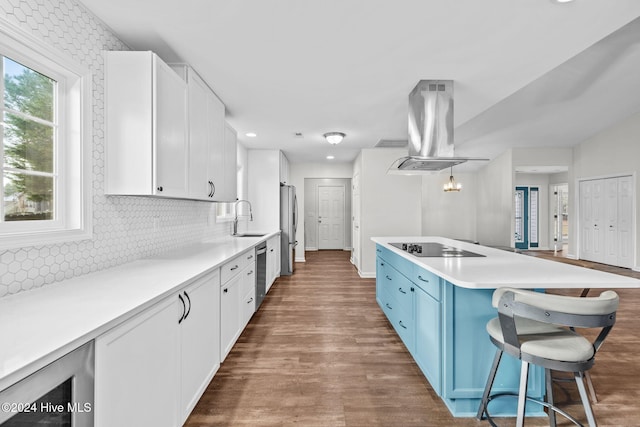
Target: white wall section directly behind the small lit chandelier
point(451, 214)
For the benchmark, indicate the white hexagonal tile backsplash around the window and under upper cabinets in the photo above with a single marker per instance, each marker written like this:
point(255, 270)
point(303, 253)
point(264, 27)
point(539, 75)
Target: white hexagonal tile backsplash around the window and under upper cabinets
point(124, 228)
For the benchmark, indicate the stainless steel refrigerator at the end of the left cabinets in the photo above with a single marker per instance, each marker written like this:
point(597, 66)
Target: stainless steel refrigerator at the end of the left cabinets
point(288, 226)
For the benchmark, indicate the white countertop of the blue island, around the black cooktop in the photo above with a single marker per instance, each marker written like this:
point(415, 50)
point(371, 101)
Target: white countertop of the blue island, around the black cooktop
point(502, 268)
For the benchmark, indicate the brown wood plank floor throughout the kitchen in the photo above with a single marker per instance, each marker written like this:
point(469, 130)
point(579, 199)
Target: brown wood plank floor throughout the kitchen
point(320, 352)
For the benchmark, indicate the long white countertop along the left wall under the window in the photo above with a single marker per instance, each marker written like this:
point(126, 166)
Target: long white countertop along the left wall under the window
point(41, 325)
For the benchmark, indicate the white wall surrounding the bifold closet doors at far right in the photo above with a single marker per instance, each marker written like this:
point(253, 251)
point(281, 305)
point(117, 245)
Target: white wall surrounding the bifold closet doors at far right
point(613, 152)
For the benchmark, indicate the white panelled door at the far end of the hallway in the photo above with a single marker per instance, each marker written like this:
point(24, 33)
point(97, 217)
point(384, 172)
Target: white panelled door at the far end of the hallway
point(330, 217)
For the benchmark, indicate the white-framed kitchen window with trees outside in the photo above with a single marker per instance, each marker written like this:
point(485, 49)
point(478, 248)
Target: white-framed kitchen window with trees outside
point(45, 129)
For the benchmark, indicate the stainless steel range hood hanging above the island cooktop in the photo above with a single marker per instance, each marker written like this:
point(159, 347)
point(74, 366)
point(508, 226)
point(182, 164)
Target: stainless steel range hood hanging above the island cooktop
point(430, 130)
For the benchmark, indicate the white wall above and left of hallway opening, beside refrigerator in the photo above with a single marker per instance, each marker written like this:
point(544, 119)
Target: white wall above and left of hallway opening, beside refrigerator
point(298, 172)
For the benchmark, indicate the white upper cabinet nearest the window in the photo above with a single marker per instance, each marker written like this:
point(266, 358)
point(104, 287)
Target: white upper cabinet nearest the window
point(146, 126)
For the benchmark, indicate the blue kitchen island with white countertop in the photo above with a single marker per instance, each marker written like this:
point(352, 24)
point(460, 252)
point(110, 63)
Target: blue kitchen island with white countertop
point(439, 306)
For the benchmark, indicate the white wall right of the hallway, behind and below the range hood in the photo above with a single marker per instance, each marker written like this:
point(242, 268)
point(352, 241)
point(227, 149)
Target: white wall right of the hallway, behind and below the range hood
point(390, 204)
